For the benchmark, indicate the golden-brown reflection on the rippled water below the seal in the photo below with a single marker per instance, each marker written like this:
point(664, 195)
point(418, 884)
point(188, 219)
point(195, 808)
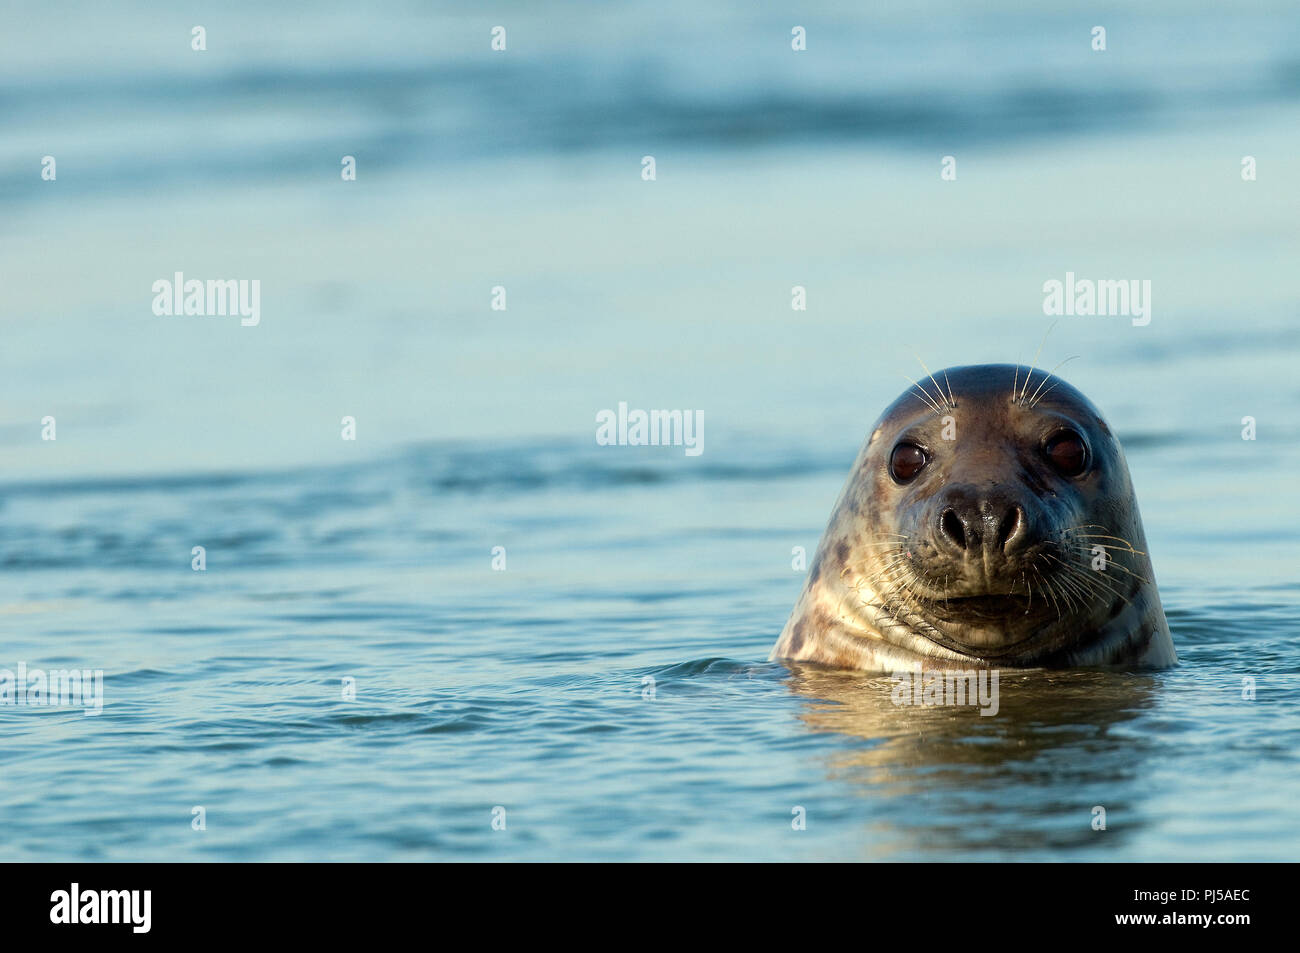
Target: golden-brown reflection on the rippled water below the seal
point(950, 779)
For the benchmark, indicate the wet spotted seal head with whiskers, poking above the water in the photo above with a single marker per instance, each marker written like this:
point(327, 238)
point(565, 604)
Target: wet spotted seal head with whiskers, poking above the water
point(989, 522)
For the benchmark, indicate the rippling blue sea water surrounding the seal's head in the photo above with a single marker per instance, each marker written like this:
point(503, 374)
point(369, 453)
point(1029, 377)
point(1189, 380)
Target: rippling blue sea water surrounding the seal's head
point(530, 687)
